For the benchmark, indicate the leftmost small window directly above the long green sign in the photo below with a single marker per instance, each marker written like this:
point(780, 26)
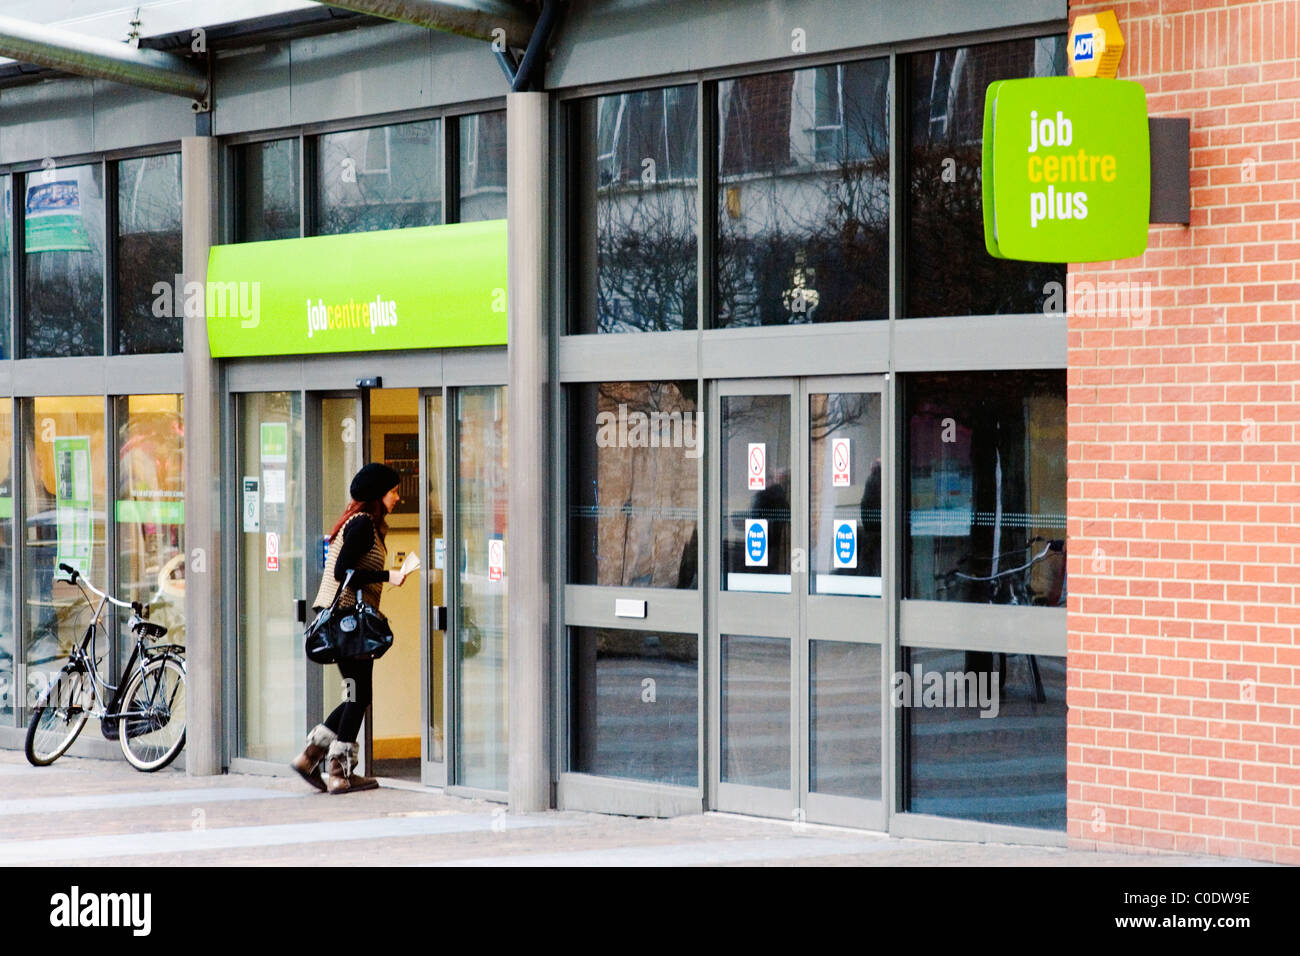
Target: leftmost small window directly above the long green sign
point(268, 198)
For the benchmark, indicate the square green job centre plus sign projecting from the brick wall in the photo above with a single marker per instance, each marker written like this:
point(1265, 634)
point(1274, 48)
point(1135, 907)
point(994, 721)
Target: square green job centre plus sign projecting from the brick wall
point(1067, 170)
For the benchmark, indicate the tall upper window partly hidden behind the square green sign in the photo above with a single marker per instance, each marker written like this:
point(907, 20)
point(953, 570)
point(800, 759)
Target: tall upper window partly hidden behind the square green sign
point(948, 270)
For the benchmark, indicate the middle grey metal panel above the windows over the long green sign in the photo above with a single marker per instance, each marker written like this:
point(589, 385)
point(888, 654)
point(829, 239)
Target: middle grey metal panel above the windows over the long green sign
point(379, 70)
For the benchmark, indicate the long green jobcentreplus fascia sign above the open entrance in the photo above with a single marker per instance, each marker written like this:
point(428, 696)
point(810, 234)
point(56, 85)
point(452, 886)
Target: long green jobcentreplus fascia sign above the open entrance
point(426, 288)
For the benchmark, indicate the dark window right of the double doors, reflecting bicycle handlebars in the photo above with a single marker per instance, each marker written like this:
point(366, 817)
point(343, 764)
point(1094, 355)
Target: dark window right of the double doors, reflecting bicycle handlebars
point(987, 486)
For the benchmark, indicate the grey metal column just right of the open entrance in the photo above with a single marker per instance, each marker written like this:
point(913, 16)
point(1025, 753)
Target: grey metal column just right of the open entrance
point(527, 563)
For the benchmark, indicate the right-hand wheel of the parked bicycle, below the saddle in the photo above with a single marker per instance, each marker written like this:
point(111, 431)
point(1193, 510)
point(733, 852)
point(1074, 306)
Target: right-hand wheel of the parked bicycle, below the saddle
point(157, 697)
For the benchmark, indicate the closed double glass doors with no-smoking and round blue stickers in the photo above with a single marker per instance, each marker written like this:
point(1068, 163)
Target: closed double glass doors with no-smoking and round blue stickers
point(798, 616)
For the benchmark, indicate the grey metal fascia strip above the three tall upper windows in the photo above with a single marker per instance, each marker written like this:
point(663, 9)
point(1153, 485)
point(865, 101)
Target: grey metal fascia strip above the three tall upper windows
point(644, 38)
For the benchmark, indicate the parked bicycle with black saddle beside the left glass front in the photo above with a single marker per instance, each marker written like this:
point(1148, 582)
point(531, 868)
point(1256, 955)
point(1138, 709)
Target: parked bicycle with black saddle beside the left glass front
point(146, 713)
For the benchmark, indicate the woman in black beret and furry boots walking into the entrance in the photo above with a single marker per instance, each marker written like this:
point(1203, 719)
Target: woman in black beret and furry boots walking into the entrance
point(357, 544)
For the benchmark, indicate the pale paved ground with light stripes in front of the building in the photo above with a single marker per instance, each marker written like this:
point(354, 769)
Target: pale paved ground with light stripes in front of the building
point(103, 814)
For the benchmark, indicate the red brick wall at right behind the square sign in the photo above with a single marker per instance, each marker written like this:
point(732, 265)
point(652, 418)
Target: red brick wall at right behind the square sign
point(1185, 466)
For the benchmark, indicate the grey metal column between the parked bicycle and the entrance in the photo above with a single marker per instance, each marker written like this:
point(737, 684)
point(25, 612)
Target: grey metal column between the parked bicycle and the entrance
point(200, 181)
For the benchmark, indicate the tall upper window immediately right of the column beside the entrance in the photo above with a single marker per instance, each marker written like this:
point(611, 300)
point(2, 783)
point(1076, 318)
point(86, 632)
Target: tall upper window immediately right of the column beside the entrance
point(636, 176)
